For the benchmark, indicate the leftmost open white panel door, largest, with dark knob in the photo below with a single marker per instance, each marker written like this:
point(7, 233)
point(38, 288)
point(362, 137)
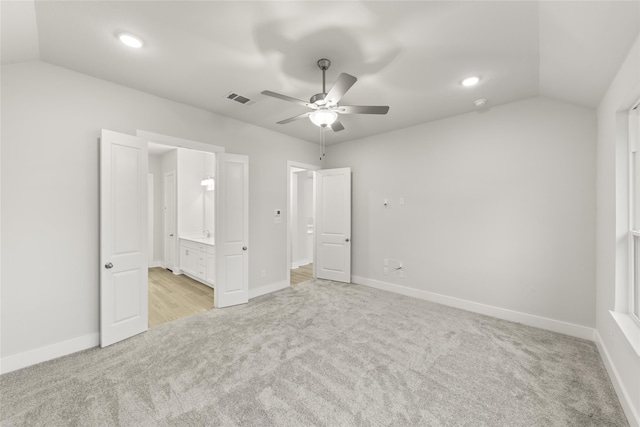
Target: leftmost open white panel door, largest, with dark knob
point(123, 237)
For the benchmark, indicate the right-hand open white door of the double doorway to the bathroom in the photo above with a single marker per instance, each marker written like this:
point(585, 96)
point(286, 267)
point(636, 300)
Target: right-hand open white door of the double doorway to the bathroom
point(232, 230)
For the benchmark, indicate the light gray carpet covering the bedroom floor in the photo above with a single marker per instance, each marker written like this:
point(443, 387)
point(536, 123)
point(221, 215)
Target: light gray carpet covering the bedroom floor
point(328, 354)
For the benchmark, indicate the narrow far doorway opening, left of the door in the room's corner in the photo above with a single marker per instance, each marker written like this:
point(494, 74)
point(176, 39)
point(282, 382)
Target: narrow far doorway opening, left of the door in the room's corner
point(301, 224)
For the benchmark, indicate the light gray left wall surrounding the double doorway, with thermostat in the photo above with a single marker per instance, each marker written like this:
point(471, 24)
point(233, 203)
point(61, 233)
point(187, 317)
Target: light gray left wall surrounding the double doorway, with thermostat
point(51, 120)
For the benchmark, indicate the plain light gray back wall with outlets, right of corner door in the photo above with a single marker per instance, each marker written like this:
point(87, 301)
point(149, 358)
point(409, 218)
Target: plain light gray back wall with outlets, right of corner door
point(499, 208)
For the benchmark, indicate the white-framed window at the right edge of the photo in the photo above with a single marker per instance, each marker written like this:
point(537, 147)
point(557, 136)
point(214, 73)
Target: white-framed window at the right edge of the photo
point(634, 217)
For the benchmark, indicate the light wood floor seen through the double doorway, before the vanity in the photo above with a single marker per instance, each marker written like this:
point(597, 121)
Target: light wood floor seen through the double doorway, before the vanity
point(173, 296)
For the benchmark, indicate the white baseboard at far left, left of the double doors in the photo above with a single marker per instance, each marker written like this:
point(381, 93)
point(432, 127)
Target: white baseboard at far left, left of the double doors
point(53, 351)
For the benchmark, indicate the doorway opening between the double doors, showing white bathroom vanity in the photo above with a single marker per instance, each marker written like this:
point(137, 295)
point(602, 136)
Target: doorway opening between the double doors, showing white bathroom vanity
point(182, 213)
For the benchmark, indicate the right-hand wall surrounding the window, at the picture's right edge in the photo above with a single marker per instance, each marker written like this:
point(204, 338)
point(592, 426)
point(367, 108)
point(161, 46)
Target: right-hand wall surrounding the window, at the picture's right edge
point(612, 278)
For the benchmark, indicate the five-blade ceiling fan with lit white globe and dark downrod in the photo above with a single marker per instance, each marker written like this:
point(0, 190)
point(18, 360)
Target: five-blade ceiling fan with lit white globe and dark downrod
point(324, 105)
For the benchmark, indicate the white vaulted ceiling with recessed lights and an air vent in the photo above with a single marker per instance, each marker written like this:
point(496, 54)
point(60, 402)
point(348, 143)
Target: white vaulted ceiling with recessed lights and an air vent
point(408, 55)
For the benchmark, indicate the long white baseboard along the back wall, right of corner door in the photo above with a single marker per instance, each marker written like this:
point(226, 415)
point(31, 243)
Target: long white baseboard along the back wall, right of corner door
point(489, 310)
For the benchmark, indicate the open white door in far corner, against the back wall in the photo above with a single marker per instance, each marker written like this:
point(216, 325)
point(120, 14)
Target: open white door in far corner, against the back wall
point(333, 224)
